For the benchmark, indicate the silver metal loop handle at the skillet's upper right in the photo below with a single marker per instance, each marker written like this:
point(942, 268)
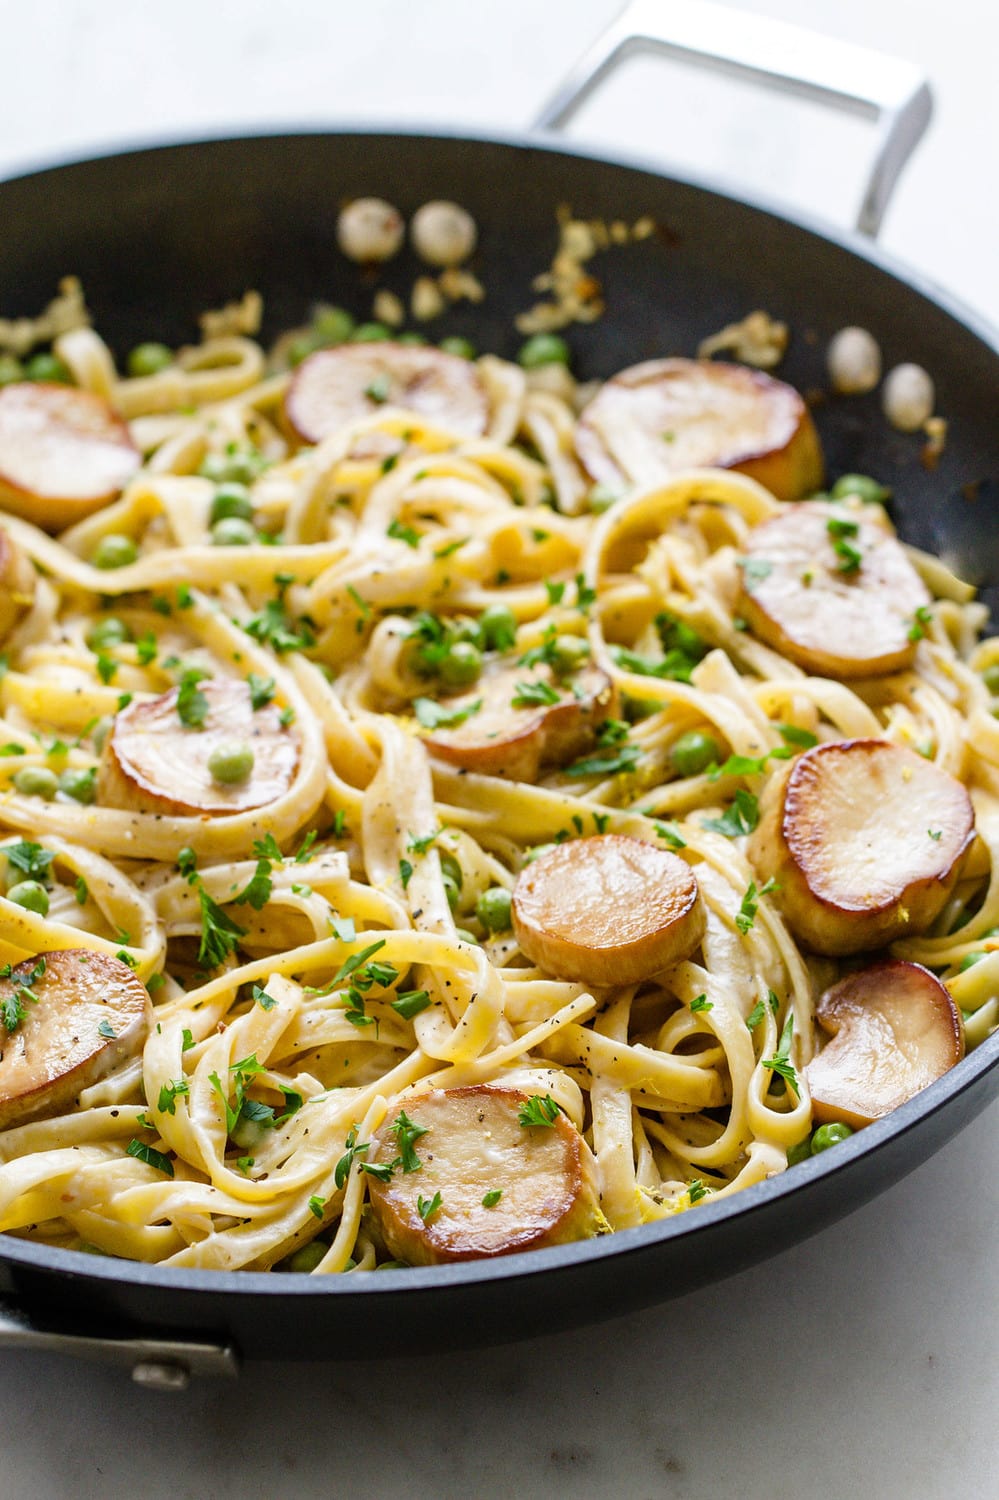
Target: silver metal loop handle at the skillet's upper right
point(779, 56)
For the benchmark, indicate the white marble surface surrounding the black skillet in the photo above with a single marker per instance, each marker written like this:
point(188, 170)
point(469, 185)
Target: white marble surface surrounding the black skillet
point(862, 1363)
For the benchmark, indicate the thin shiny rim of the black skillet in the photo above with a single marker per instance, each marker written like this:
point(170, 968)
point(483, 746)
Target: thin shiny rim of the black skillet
point(634, 1243)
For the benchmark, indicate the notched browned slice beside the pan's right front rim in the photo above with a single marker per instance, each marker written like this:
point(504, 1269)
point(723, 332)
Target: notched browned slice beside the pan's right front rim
point(895, 1030)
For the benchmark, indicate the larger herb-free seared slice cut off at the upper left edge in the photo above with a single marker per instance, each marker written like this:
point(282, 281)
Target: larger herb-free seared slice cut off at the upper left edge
point(64, 454)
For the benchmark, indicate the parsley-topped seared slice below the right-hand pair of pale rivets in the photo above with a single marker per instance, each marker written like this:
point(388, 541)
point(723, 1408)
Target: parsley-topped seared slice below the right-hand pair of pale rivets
point(833, 590)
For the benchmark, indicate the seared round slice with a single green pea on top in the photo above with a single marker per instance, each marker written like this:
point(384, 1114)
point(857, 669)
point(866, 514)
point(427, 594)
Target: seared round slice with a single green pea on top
point(155, 763)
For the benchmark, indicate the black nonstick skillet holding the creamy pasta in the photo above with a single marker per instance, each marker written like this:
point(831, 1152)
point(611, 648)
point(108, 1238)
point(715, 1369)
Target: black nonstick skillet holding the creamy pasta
point(158, 235)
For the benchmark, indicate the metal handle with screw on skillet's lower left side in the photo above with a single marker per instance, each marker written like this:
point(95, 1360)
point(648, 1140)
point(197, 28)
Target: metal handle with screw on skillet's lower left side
point(160, 1364)
